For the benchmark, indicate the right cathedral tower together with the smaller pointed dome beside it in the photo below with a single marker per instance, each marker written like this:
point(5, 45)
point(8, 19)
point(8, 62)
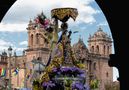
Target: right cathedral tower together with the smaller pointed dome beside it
point(96, 57)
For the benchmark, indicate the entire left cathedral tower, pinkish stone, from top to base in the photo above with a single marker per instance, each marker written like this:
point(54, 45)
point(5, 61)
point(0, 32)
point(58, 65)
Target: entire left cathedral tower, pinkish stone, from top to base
point(38, 49)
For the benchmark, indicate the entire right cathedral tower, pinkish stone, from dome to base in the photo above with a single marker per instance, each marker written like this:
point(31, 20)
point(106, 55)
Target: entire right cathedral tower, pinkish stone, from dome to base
point(100, 47)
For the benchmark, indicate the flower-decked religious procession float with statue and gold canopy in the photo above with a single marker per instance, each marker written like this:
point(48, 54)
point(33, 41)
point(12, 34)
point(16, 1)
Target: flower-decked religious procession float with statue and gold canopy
point(63, 71)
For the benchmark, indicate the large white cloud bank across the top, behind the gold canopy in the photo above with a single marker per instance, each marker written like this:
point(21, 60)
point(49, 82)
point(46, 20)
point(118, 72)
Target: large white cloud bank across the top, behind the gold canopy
point(23, 10)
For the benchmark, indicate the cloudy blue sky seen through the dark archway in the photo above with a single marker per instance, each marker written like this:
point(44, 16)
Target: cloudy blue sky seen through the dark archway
point(13, 26)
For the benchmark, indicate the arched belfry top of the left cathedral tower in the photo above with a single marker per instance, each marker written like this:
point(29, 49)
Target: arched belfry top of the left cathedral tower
point(36, 36)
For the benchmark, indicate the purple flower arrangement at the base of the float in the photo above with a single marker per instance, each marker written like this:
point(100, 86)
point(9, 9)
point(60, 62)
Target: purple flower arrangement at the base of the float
point(66, 74)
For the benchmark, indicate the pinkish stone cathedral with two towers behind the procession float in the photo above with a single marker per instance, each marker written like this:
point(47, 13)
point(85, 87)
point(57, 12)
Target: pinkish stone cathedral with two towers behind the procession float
point(95, 57)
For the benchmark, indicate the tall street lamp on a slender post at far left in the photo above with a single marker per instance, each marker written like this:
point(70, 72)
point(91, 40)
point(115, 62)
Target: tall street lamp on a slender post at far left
point(10, 53)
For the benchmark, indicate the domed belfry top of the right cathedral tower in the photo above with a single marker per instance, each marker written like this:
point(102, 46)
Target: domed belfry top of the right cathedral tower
point(100, 43)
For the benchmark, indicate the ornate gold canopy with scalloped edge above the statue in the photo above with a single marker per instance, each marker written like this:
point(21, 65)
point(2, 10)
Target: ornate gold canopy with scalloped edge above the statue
point(63, 14)
